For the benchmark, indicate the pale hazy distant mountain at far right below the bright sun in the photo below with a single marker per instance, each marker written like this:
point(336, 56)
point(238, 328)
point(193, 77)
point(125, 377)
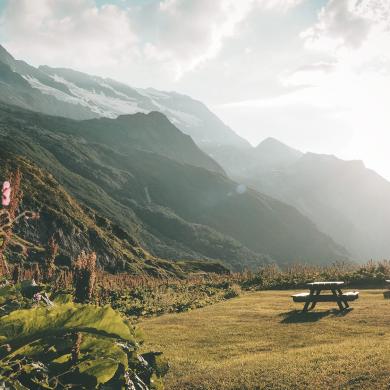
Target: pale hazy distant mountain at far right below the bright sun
point(344, 199)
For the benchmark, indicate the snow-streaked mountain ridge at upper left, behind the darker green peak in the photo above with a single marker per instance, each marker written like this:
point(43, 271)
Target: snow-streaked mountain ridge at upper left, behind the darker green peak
point(65, 92)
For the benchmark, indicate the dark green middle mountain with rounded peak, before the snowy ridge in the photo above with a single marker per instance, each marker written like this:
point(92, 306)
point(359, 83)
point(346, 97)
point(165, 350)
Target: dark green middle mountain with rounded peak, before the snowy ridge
point(121, 170)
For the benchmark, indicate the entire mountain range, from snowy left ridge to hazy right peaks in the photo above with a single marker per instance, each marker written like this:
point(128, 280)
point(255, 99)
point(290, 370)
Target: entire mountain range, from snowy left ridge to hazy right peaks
point(149, 194)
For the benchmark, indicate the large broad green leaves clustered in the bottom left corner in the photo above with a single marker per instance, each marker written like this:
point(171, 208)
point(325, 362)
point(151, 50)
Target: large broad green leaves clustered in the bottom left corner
point(62, 344)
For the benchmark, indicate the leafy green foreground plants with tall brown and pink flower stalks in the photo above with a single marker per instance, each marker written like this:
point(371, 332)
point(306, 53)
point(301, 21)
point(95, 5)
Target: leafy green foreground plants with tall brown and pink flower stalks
point(62, 341)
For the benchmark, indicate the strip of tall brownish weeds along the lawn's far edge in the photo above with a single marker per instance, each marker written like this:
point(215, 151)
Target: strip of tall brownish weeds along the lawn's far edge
point(138, 296)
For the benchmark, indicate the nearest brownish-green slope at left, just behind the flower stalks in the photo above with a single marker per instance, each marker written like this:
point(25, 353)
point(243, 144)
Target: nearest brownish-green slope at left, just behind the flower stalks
point(76, 228)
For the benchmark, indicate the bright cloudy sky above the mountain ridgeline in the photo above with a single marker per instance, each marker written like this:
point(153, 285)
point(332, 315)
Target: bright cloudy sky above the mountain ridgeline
point(312, 73)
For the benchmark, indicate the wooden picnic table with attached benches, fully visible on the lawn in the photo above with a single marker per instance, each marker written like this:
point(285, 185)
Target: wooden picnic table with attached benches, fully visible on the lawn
point(311, 298)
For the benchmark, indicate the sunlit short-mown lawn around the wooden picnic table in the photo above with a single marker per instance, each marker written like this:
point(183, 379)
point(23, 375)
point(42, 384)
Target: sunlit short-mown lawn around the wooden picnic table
point(260, 341)
